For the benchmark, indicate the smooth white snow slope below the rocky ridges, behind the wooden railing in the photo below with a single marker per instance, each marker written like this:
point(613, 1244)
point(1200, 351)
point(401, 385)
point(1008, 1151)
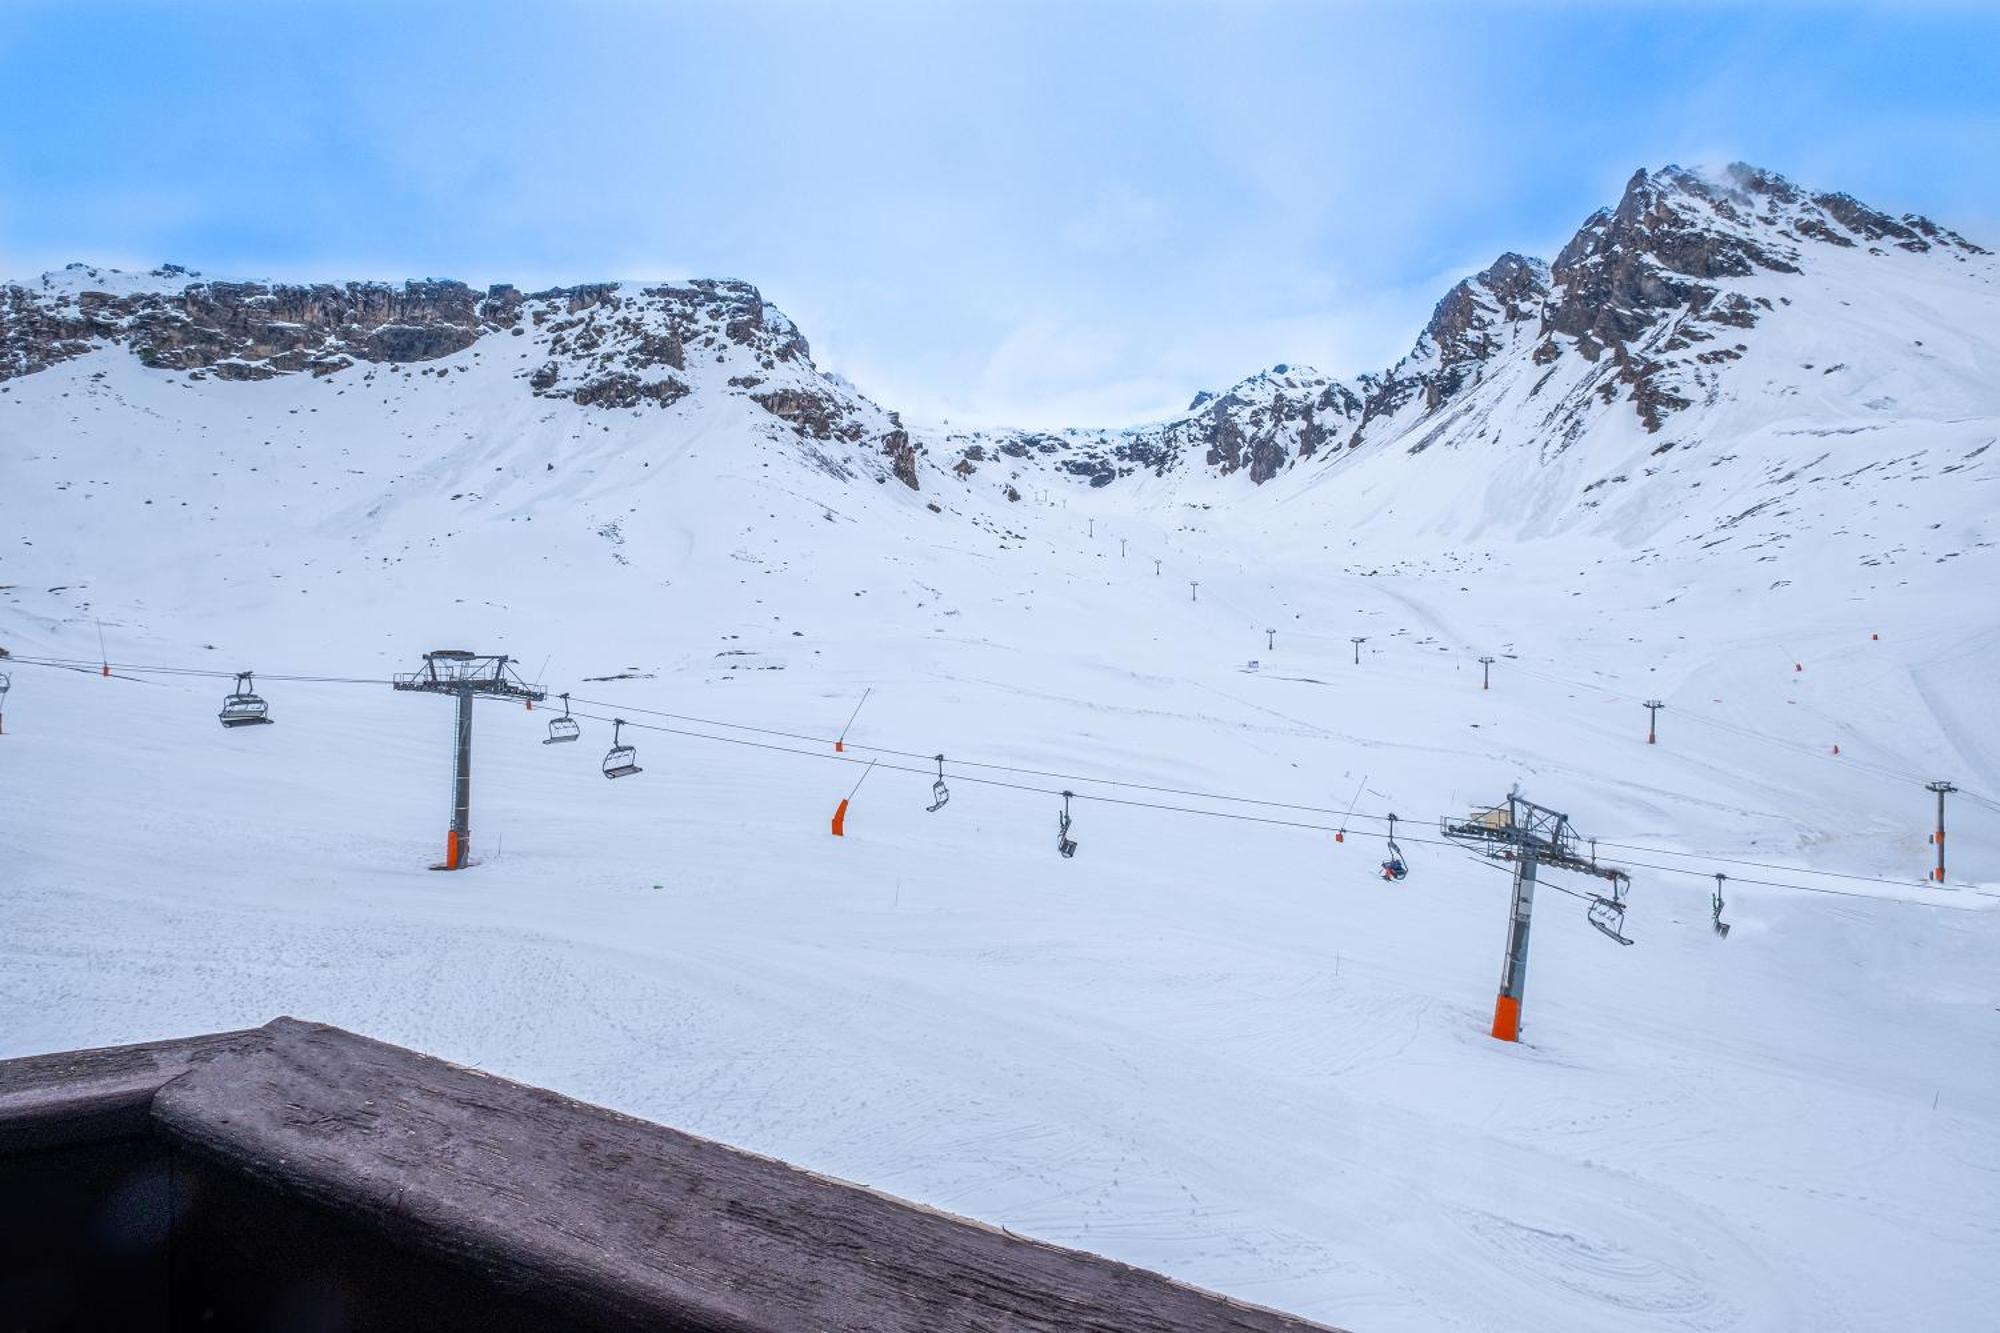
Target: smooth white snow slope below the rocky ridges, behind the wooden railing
point(1215, 1048)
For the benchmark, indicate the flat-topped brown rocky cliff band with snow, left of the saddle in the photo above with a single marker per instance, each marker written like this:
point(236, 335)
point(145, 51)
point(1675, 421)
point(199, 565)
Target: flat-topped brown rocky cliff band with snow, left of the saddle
point(609, 345)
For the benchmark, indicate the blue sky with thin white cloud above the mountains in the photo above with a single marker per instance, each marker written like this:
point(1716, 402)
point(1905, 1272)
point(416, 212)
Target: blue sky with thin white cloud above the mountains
point(1069, 213)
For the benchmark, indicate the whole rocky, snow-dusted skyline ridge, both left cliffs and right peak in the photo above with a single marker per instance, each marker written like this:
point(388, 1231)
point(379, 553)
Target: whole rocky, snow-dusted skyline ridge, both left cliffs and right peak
point(1639, 319)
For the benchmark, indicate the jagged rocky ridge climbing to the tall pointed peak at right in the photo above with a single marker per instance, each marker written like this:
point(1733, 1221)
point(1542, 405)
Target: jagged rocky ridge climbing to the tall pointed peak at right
point(1641, 313)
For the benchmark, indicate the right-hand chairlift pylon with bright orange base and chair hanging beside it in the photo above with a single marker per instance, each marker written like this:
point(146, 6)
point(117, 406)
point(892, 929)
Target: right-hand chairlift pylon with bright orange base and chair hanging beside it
point(1533, 836)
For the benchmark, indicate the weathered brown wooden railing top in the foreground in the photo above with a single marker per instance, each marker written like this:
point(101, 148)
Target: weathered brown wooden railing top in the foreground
point(593, 1214)
